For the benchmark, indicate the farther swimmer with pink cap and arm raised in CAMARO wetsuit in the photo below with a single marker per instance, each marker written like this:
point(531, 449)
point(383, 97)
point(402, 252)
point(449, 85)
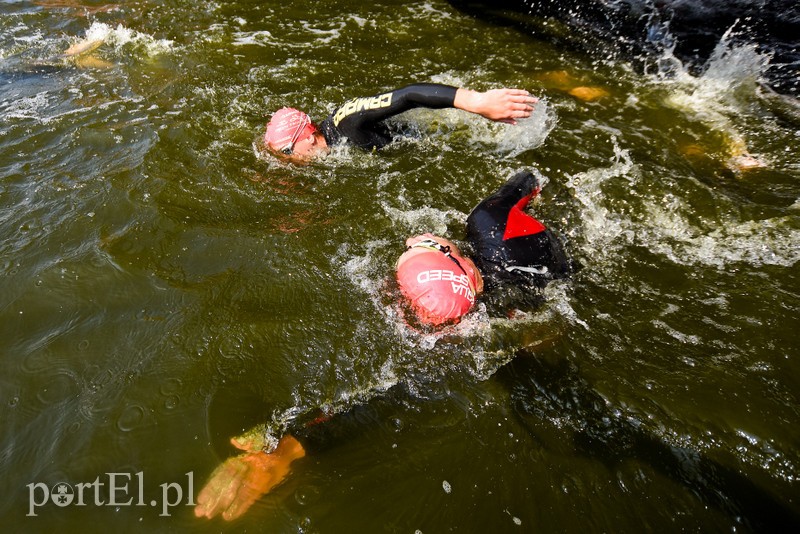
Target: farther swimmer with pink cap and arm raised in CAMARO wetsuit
point(292, 135)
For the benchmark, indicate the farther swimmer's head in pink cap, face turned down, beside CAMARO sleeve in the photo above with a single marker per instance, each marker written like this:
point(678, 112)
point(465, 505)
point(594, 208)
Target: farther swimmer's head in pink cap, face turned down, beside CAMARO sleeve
point(291, 134)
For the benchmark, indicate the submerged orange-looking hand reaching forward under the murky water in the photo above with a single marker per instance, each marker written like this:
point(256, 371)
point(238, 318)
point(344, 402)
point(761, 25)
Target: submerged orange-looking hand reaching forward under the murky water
point(241, 480)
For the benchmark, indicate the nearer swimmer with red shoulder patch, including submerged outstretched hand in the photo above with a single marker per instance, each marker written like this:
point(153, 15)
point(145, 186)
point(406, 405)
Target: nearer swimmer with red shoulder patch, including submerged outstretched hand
point(441, 285)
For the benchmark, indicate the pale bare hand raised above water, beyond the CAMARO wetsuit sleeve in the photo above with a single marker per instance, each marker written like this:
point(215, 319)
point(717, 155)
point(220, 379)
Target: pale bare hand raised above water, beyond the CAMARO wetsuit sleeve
point(502, 105)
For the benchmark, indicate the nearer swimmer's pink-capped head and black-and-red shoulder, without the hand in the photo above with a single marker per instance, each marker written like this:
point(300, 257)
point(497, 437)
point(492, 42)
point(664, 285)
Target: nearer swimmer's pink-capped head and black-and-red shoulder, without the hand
point(511, 249)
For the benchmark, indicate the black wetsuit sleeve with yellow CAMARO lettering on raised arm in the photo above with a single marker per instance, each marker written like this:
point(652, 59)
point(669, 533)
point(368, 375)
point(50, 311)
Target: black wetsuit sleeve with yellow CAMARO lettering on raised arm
point(361, 120)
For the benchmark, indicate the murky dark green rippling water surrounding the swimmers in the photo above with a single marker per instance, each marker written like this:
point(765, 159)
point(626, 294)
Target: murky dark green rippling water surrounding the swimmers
point(162, 288)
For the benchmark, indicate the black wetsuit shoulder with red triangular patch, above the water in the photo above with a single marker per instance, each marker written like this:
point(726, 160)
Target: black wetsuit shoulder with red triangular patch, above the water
point(509, 244)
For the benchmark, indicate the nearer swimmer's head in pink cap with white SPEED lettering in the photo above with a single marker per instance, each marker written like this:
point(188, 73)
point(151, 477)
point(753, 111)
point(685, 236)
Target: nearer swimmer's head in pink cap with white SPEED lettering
point(439, 283)
